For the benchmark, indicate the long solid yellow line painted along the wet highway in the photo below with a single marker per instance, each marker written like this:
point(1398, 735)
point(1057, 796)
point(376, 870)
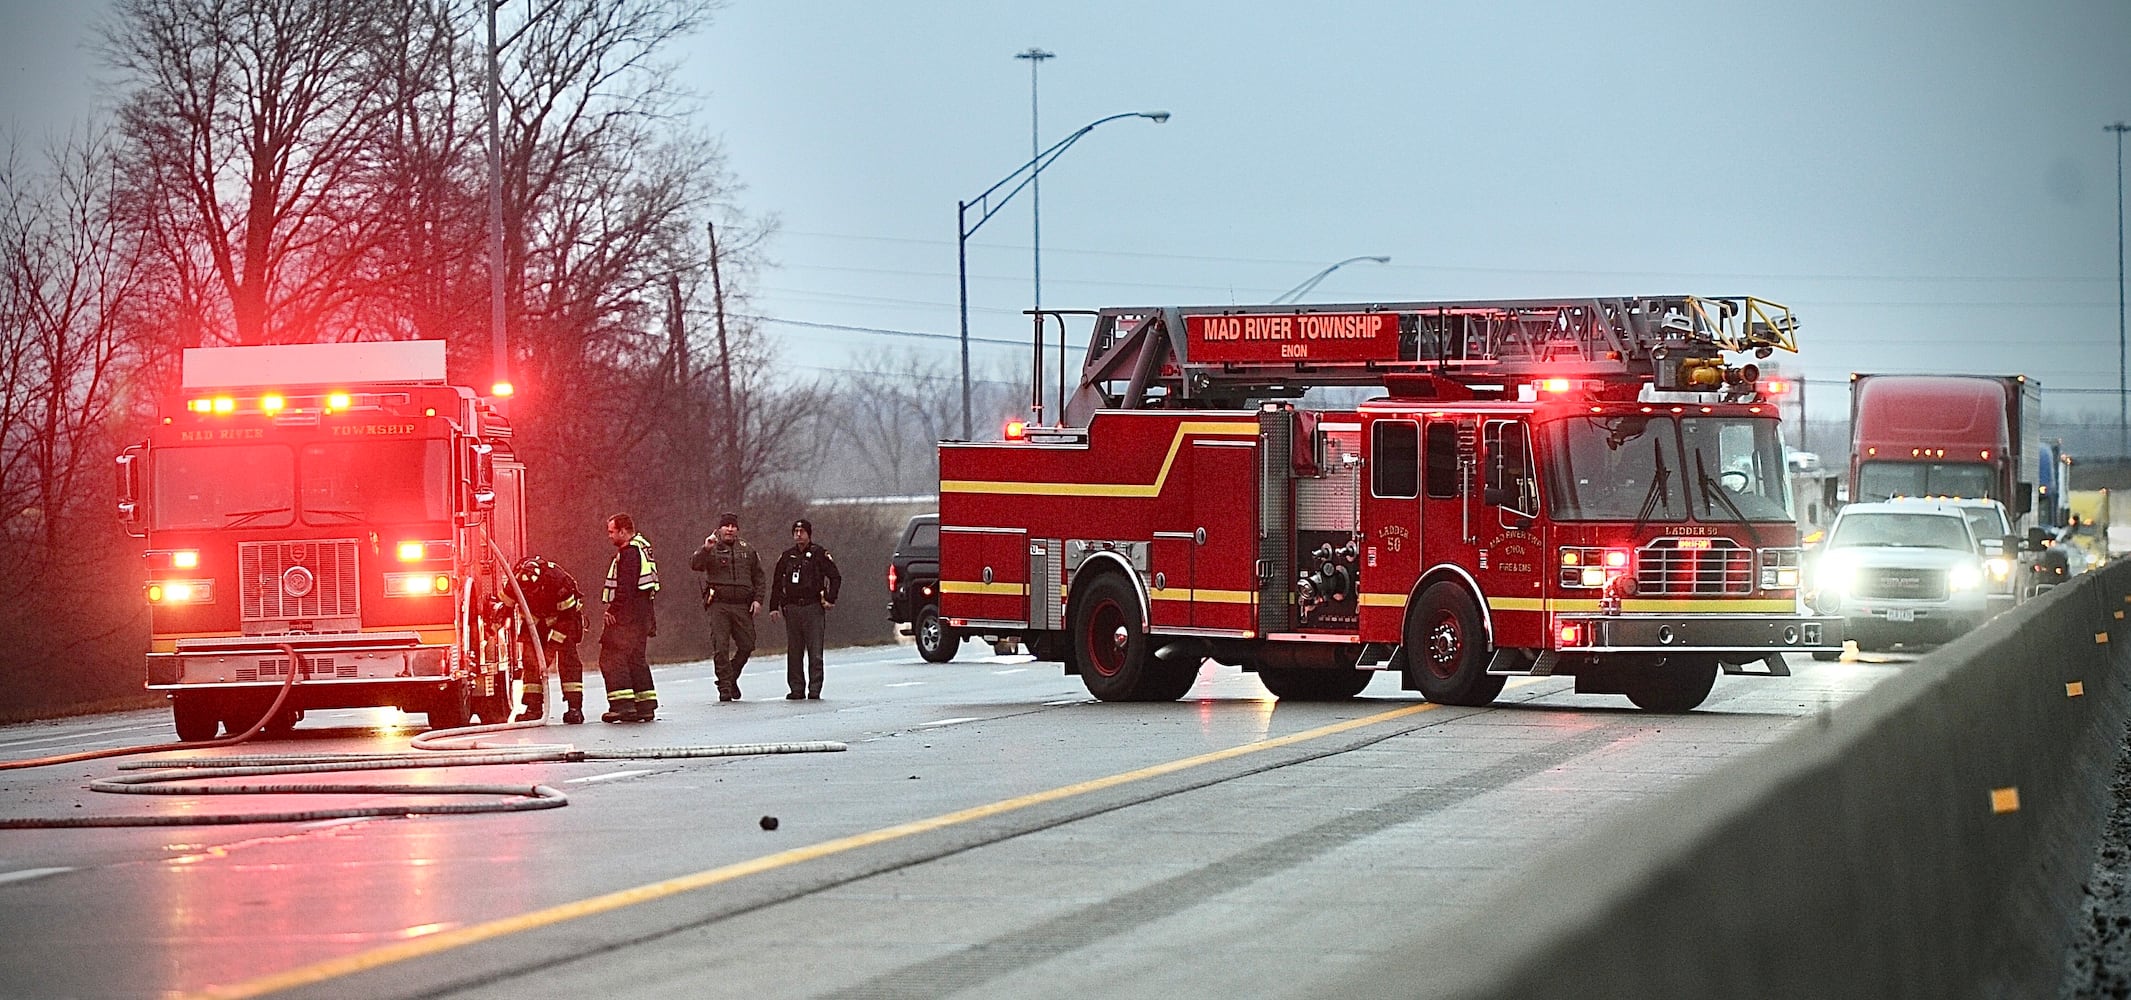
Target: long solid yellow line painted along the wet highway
point(478, 933)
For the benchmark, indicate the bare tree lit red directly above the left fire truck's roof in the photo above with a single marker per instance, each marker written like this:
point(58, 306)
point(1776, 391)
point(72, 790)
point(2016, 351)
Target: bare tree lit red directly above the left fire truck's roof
point(250, 127)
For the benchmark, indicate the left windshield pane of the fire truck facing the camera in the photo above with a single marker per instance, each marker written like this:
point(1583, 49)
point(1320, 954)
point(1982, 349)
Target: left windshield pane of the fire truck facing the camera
point(225, 487)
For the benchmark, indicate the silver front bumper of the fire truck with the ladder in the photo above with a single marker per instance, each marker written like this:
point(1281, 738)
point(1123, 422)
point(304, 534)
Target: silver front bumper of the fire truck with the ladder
point(1725, 634)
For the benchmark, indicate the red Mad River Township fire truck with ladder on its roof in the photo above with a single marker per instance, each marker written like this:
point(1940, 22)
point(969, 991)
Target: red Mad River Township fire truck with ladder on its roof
point(1548, 487)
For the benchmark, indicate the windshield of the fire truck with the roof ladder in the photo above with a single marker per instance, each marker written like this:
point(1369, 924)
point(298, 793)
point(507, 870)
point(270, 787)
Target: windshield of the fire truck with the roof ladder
point(1650, 468)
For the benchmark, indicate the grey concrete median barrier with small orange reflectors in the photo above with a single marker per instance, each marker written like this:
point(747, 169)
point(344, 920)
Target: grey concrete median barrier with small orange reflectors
point(1927, 839)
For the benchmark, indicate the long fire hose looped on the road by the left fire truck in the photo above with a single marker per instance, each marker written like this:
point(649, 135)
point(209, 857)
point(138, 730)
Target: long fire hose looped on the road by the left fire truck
point(432, 752)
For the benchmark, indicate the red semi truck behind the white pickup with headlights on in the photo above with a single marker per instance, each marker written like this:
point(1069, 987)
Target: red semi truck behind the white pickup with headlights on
point(1947, 436)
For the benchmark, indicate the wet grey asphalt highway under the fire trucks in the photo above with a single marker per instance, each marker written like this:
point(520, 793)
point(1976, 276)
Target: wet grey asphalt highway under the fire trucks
point(990, 833)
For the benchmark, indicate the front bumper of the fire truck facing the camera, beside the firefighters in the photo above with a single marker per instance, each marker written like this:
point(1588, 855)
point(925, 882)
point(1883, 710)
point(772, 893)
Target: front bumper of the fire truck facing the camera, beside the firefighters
point(327, 660)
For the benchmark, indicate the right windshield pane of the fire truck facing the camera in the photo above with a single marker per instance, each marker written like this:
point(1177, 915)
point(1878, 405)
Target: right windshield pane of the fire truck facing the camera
point(378, 483)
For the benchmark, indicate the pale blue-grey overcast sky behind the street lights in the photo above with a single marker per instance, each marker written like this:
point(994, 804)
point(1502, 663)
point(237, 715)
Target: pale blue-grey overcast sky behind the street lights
point(1930, 187)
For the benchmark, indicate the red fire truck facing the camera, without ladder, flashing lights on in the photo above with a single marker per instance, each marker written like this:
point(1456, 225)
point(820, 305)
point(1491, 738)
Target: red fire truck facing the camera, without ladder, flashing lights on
point(329, 500)
